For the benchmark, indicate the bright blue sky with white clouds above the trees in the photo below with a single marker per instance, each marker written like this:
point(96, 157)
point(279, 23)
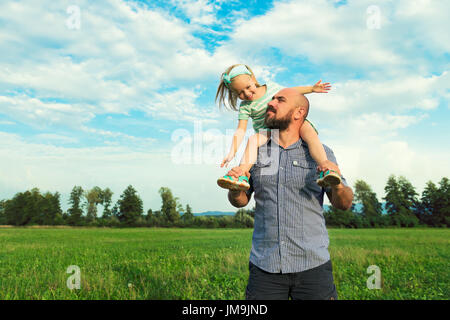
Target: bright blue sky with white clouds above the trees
point(117, 93)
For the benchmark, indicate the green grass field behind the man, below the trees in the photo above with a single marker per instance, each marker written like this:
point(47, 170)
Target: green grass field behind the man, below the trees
point(208, 263)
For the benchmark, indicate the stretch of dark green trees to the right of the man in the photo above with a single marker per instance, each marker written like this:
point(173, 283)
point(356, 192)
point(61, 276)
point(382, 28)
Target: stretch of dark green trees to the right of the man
point(403, 206)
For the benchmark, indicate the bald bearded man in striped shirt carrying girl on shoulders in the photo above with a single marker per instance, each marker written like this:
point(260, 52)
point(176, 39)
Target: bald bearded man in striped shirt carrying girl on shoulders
point(289, 256)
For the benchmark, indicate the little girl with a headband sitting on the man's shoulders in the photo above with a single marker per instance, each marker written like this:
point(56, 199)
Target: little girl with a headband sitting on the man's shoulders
point(238, 81)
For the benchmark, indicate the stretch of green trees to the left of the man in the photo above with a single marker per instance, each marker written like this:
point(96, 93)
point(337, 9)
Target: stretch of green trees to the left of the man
point(35, 208)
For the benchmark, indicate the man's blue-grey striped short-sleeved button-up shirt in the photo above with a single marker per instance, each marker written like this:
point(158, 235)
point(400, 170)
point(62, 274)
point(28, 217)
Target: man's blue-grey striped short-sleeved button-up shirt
point(289, 230)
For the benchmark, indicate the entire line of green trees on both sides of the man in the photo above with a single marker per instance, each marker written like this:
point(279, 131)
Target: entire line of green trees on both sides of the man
point(403, 206)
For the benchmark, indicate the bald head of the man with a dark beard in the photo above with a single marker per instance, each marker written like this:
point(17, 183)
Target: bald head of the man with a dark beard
point(287, 107)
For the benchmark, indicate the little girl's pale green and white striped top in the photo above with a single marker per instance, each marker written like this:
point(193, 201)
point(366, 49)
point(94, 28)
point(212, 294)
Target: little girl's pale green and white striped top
point(256, 109)
